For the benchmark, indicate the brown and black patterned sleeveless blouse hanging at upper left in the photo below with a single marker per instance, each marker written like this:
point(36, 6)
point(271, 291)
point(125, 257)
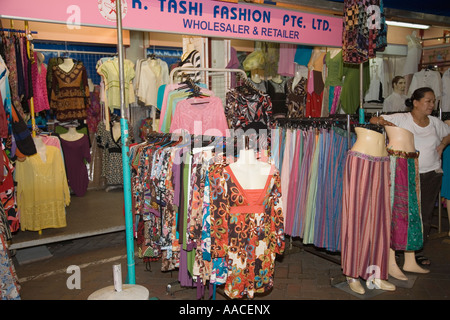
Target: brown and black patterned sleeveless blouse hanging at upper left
point(70, 96)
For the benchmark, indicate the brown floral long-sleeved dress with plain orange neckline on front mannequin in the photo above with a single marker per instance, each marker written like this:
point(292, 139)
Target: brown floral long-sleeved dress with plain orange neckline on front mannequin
point(246, 229)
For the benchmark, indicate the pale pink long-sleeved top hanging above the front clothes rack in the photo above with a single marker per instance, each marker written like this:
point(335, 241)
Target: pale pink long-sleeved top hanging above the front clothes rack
point(200, 116)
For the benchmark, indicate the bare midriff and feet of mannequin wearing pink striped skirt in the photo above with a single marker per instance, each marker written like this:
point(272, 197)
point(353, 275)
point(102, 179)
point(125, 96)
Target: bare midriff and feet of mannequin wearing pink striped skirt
point(371, 143)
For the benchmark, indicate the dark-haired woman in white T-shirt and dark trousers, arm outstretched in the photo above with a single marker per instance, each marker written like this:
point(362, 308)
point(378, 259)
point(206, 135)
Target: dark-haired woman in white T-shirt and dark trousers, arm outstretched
point(431, 136)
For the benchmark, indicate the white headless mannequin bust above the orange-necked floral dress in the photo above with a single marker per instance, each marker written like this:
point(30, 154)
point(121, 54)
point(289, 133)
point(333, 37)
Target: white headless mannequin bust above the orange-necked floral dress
point(250, 172)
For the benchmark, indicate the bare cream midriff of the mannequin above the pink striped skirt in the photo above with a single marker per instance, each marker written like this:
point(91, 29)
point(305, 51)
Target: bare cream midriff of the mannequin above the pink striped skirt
point(370, 142)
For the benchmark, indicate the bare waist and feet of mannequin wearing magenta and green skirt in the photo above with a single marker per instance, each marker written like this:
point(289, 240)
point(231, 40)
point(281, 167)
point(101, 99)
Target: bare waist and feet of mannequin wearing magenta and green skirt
point(402, 140)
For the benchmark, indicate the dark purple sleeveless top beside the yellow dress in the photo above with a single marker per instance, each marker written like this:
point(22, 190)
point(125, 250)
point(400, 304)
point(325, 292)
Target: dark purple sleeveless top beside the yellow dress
point(75, 154)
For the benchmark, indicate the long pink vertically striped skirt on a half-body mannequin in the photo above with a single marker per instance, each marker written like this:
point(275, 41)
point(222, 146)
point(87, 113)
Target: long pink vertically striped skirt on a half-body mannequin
point(366, 216)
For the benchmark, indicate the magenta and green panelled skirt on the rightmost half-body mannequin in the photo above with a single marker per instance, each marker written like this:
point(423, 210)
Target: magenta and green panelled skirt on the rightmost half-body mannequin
point(406, 224)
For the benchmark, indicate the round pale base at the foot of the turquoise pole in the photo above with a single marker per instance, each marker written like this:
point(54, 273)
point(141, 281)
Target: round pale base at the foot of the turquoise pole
point(129, 292)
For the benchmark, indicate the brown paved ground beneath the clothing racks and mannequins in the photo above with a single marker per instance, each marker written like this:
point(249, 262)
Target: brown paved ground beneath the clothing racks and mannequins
point(302, 273)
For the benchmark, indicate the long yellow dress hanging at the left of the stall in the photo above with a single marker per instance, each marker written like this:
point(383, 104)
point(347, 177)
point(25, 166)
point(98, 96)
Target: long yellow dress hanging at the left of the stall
point(42, 191)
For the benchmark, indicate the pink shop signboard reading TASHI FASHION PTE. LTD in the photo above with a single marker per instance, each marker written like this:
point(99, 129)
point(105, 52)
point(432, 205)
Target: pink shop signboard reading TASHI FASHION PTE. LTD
point(196, 17)
